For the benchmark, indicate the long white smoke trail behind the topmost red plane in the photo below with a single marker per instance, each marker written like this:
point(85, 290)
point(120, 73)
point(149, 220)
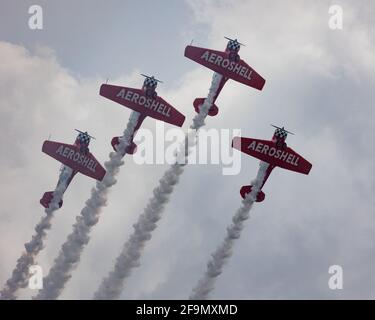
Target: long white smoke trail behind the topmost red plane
point(112, 285)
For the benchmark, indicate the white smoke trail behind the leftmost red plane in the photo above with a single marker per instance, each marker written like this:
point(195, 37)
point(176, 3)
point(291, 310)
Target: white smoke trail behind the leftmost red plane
point(20, 273)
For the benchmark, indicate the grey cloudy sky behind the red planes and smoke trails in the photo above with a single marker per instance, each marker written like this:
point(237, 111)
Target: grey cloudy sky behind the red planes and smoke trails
point(320, 85)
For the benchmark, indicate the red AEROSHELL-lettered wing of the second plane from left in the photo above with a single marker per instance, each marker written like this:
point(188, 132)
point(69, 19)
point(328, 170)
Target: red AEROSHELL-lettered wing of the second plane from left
point(136, 100)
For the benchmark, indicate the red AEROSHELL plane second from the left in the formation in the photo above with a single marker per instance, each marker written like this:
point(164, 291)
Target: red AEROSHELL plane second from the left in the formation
point(146, 102)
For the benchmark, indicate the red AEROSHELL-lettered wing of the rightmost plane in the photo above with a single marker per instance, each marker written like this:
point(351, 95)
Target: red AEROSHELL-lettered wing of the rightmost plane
point(267, 151)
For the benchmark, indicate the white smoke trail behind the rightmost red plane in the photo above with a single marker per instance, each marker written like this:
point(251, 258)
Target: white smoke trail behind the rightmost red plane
point(222, 254)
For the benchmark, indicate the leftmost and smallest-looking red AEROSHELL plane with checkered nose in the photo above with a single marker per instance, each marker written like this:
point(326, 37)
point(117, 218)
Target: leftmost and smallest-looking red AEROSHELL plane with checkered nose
point(75, 158)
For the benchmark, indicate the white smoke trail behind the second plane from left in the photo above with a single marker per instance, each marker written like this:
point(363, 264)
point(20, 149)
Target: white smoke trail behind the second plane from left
point(71, 250)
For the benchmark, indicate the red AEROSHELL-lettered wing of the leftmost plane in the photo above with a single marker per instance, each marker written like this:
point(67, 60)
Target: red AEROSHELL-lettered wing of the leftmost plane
point(71, 156)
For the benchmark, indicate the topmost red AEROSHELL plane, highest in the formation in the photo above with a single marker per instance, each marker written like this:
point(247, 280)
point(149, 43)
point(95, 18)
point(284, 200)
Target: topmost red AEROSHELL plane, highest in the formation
point(227, 63)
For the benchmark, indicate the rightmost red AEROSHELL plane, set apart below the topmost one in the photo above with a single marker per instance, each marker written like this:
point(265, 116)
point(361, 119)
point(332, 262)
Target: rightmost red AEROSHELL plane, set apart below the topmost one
point(275, 152)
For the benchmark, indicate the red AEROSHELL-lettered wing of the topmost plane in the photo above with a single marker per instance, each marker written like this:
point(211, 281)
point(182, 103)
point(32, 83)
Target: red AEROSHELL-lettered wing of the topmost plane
point(218, 61)
